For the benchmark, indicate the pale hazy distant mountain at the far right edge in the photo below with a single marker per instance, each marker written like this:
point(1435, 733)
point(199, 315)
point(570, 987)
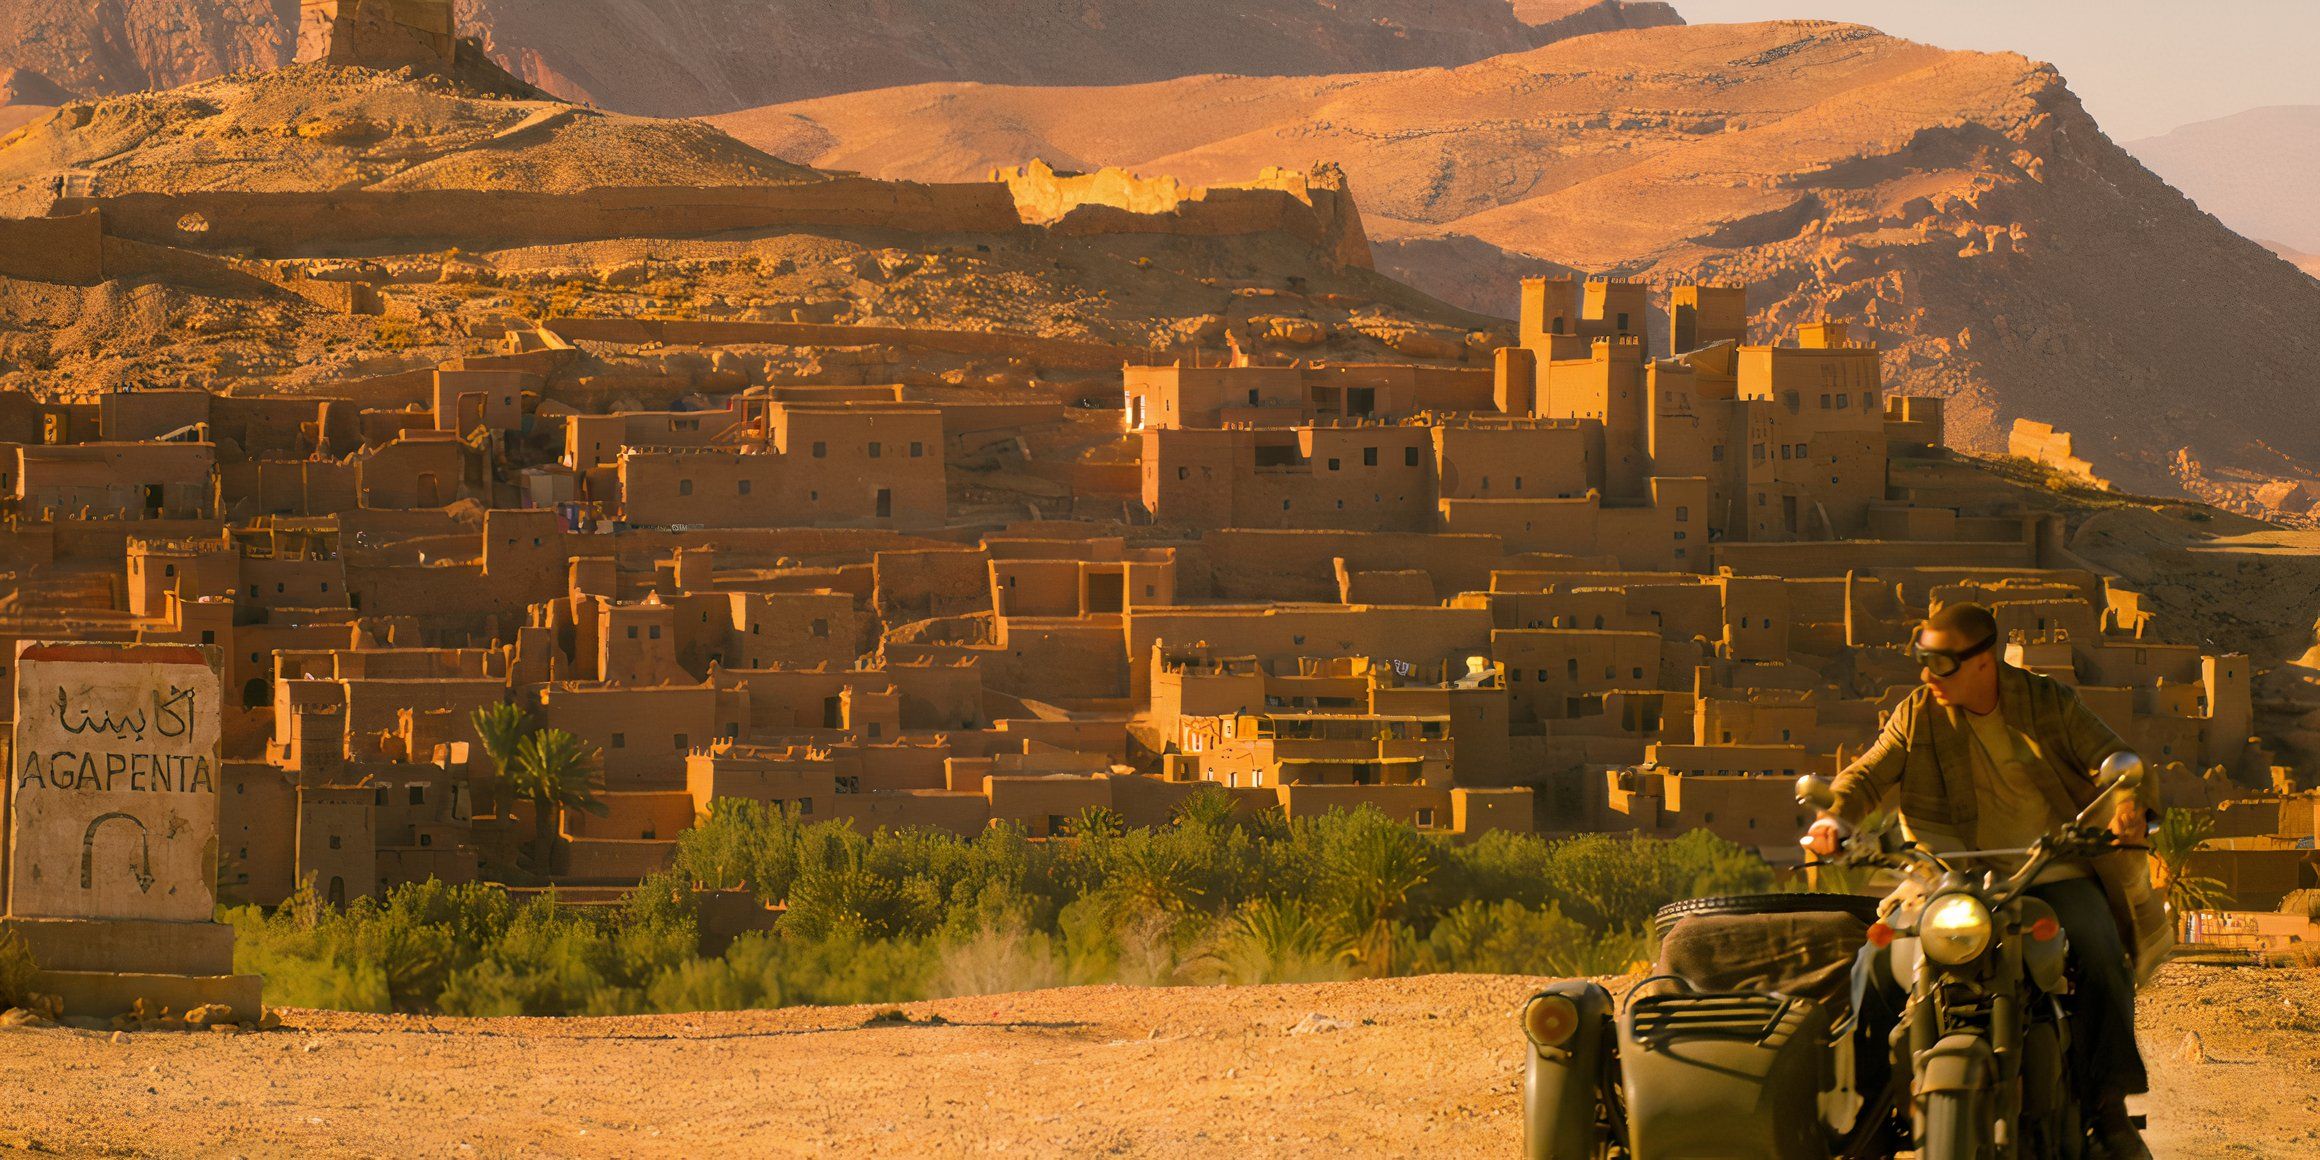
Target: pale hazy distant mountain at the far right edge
point(2254, 171)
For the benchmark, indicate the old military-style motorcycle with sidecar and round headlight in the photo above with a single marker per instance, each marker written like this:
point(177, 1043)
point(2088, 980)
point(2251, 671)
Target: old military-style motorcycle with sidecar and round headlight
point(1743, 1043)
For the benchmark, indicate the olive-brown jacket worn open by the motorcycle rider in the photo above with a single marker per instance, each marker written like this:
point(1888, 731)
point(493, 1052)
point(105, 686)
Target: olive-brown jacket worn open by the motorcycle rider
point(1924, 753)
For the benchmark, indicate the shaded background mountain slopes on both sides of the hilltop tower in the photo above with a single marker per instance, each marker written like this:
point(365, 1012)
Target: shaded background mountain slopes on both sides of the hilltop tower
point(704, 57)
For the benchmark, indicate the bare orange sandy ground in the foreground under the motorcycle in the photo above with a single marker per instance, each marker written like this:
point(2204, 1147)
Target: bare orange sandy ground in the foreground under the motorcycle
point(1426, 1068)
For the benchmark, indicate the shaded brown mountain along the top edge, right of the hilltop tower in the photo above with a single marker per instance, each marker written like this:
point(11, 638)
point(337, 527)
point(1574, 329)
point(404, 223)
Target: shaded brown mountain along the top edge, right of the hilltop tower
point(699, 57)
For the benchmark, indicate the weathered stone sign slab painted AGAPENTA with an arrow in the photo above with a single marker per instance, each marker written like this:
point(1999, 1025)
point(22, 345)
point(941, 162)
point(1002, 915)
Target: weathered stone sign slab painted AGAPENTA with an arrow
point(115, 783)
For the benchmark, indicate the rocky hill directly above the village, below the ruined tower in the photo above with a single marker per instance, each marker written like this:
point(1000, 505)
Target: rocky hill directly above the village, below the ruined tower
point(171, 319)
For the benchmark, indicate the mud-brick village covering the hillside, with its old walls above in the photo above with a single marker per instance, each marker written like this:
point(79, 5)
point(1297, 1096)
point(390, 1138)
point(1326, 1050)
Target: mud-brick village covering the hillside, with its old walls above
point(1632, 574)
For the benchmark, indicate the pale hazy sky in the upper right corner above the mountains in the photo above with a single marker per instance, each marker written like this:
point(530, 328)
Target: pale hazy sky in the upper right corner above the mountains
point(2143, 66)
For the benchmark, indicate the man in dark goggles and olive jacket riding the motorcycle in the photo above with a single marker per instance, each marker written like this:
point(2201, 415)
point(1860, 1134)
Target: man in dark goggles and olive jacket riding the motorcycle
point(1989, 757)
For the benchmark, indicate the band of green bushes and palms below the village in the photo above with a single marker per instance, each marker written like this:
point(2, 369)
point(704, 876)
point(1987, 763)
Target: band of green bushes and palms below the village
point(908, 915)
